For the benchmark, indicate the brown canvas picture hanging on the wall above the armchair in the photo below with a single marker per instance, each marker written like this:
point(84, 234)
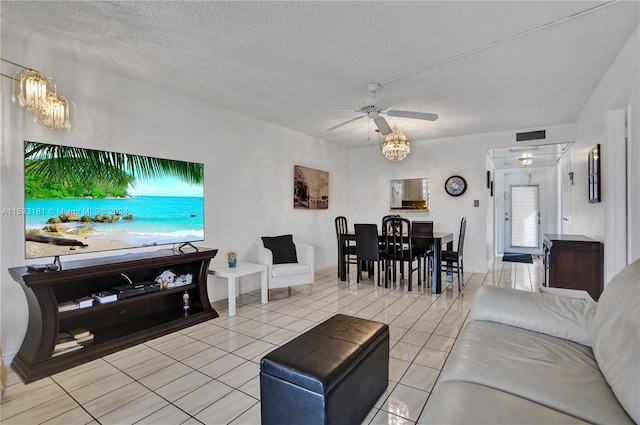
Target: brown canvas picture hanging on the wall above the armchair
point(310, 188)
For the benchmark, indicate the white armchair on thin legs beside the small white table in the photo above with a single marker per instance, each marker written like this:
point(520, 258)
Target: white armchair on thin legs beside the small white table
point(286, 275)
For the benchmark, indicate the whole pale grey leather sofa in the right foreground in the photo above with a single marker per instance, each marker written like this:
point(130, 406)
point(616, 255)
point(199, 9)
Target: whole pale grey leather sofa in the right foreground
point(534, 358)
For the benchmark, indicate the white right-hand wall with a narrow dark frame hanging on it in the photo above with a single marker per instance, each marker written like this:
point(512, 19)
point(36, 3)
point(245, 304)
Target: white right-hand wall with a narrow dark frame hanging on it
point(619, 87)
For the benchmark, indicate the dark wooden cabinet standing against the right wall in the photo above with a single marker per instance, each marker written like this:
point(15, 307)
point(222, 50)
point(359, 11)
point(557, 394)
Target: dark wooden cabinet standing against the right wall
point(574, 262)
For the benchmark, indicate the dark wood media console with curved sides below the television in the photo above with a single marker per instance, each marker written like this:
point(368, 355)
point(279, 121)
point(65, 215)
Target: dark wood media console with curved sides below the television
point(116, 325)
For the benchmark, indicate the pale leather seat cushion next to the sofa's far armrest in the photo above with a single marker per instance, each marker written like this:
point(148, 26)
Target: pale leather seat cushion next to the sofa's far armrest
point(549, 371)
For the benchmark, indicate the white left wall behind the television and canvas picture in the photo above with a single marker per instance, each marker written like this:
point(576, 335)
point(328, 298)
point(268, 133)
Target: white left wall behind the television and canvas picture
point(248, 166)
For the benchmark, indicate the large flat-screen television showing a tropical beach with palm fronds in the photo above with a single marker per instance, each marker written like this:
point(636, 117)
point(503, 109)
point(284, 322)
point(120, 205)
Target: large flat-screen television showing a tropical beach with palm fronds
point(81, 200)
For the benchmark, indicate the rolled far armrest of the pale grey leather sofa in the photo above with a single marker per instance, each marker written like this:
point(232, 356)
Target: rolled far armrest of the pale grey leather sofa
point(567, 318)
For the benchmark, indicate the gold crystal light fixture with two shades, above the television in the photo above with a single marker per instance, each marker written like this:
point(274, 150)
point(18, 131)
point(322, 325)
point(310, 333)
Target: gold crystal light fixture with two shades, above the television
point(38, 94)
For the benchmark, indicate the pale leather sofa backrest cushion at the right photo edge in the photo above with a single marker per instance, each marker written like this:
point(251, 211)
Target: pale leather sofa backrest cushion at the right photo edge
point(616, 337)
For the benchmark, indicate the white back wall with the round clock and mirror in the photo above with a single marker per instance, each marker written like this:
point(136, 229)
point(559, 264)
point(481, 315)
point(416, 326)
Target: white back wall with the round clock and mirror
point(437, 159)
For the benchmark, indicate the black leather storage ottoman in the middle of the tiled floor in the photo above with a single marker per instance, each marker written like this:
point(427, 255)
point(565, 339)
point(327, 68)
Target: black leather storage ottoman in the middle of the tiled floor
point(331, 374)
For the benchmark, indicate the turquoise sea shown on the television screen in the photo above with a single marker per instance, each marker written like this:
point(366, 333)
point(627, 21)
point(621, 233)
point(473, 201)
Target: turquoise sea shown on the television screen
point(156, 219)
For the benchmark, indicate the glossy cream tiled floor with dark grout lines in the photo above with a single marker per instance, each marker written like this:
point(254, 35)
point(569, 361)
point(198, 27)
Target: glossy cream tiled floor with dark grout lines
point(208, 373)
